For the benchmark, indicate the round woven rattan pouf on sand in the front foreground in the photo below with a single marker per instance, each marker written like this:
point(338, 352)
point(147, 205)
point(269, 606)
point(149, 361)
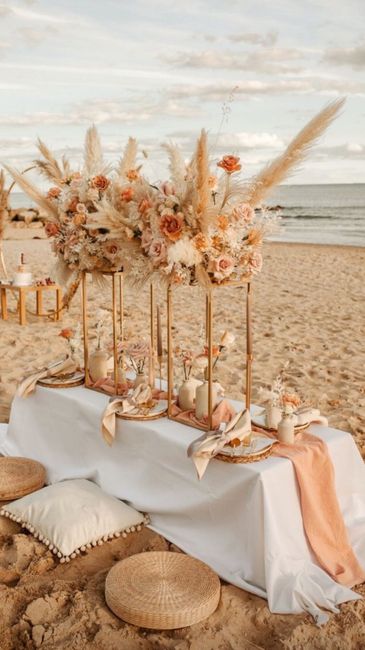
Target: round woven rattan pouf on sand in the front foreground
point(162, 590)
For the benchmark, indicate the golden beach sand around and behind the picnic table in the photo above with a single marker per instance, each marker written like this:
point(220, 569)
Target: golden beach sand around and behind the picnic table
point(309, 310)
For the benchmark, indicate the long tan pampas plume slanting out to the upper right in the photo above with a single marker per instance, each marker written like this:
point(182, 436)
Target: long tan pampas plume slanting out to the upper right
point(281, 167)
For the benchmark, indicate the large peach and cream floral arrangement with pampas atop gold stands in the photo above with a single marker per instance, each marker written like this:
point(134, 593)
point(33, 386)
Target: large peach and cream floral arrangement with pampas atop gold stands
point(202, 226)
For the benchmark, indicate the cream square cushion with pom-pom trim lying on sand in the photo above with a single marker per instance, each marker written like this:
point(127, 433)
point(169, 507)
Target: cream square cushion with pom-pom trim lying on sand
point(73, 516)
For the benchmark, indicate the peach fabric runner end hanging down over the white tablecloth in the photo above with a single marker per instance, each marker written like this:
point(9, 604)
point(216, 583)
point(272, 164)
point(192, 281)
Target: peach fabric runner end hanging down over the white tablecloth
point(322, 517)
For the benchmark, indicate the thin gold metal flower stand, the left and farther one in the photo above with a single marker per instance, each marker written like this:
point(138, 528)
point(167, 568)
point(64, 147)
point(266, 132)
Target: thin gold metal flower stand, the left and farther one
point(117, 324)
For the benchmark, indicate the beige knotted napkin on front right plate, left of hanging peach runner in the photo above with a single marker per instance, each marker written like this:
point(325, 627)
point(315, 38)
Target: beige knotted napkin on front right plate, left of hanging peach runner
point(202, 450)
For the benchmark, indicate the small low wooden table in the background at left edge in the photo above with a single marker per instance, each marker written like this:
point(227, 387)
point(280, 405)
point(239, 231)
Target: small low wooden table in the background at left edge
point(23, 292)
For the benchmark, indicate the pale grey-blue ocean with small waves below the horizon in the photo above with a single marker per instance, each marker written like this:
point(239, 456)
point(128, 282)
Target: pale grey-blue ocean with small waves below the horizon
point(315, 214)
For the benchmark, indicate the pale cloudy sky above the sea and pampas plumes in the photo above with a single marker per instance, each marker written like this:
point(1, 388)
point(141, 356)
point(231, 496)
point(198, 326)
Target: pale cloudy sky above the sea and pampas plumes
point(251, 72)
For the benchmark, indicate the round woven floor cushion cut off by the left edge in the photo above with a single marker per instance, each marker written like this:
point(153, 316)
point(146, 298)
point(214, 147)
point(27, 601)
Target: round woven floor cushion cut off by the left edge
point(19, 477)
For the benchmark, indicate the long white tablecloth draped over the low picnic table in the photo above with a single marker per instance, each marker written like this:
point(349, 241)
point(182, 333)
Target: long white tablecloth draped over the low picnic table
point(243, 520)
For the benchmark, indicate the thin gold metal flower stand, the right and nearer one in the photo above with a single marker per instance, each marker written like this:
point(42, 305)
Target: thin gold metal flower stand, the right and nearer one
point(209, 340)
